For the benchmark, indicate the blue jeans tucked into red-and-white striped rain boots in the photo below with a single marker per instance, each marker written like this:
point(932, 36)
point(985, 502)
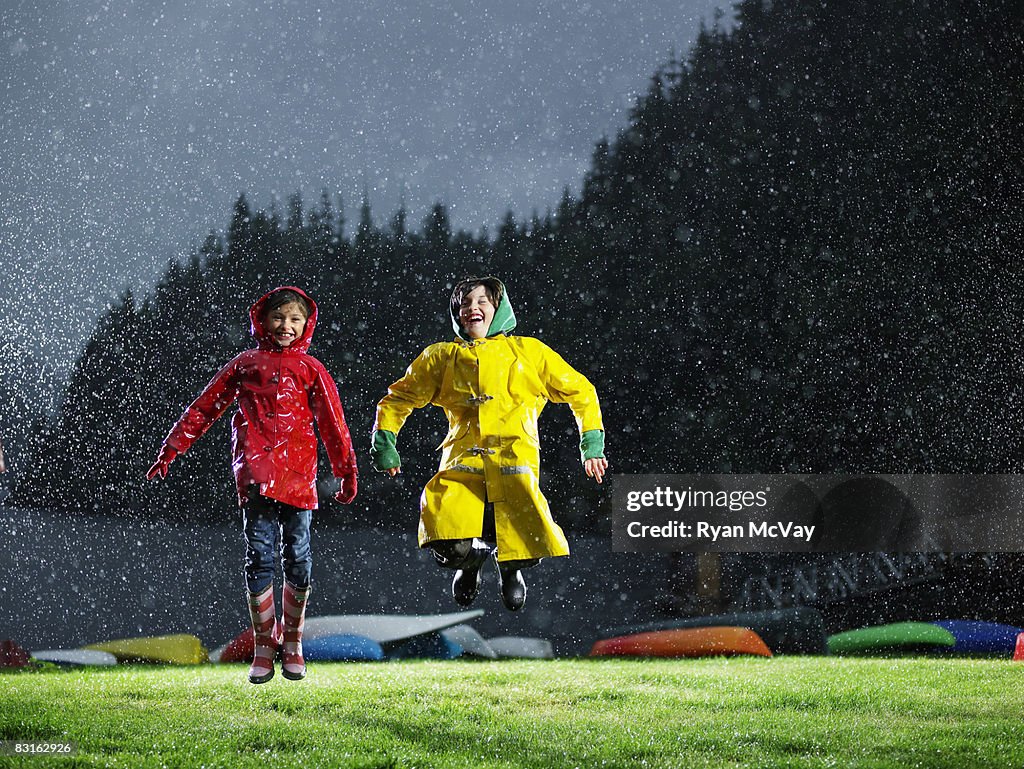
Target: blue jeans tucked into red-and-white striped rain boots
point(275, 531)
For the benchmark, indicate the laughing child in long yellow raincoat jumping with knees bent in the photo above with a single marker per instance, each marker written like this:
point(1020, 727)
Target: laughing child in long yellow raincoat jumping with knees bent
point(487, 492)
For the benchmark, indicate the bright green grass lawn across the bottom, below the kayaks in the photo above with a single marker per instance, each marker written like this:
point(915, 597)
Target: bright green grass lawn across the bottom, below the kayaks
point(793, 712)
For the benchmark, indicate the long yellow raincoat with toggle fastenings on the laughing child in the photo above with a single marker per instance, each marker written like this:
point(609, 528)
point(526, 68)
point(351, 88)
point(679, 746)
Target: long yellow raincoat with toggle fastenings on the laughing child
point(493, 392)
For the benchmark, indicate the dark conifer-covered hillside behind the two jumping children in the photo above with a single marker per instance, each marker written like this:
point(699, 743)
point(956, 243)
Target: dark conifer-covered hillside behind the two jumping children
point(801, 254)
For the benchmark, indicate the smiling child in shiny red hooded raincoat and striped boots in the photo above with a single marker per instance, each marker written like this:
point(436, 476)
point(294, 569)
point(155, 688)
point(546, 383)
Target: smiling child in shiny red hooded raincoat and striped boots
point(281, 391)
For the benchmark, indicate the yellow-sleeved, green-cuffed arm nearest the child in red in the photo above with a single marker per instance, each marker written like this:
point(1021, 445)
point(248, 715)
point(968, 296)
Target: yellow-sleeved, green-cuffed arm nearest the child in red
point(417, 389)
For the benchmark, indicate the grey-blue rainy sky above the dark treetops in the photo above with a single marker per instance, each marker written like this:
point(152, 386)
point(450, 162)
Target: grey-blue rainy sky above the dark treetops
point(130, 129)
